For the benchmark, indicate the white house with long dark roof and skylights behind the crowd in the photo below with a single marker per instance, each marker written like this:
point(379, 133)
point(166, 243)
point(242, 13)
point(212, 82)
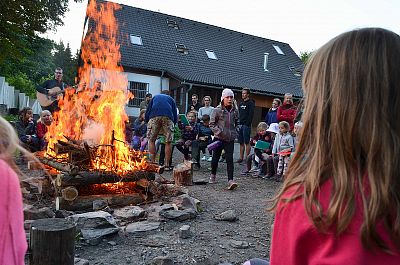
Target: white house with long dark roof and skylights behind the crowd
point(159, 52)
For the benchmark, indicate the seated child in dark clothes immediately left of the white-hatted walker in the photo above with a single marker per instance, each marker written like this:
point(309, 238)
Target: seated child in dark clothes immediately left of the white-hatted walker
point(203, 139)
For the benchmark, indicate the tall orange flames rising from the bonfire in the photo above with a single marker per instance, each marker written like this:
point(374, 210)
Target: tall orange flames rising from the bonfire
point(98, 118)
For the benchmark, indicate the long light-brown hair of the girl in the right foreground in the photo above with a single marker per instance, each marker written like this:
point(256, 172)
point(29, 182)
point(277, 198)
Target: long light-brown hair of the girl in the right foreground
point(357, 76)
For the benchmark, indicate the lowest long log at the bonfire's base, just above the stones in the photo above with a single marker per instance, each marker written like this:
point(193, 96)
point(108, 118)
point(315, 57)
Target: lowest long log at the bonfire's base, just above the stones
point(86, 202)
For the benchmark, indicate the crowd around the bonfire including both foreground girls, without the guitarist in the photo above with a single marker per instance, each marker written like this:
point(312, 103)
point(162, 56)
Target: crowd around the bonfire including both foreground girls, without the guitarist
point(337, 153)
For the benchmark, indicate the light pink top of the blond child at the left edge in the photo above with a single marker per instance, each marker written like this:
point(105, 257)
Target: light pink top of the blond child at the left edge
point(13, 243)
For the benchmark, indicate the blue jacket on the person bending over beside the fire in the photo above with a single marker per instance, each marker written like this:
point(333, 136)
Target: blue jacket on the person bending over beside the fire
point(162, 105)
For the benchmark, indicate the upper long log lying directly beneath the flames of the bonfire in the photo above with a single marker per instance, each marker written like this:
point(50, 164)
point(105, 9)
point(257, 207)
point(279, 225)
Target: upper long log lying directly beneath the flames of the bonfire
point(95, 177)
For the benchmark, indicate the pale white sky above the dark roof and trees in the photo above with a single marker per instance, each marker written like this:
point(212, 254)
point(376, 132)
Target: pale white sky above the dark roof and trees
point(305, 25)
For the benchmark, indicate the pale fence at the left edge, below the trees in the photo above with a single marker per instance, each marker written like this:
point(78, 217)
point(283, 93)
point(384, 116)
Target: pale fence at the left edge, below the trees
point(12, 101)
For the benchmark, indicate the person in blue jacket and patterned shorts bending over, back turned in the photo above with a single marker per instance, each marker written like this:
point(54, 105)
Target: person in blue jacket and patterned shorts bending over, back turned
point(161, 116)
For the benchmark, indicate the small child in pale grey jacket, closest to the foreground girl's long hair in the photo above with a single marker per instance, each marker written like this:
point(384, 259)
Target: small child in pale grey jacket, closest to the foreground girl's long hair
point(283, 146)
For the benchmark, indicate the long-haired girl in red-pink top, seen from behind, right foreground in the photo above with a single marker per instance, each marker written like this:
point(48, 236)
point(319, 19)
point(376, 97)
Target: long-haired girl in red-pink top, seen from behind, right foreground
point(340, 202)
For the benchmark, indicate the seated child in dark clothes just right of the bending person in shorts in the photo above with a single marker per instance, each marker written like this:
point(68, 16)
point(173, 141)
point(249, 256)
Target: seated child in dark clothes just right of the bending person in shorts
point(188, 134)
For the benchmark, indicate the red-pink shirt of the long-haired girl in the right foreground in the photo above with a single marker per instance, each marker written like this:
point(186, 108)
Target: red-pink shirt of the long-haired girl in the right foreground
point(296, 241)
